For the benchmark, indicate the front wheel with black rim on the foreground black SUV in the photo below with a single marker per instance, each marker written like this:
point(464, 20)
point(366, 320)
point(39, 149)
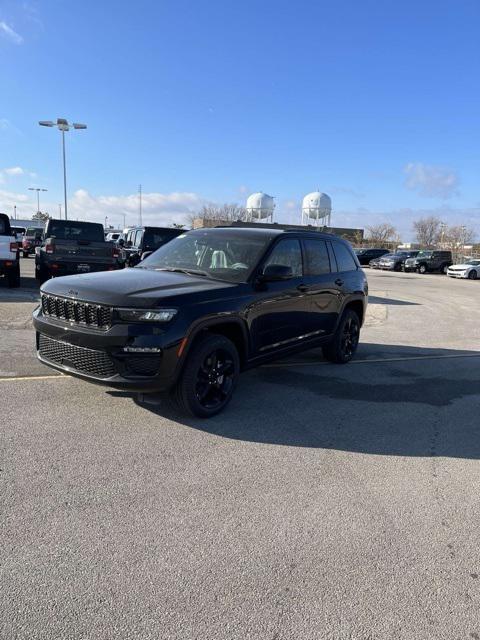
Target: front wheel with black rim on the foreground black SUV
point(209, 377)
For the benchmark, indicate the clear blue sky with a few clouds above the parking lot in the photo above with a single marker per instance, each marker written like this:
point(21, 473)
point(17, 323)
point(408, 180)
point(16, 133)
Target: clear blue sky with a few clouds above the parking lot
point(376, 103)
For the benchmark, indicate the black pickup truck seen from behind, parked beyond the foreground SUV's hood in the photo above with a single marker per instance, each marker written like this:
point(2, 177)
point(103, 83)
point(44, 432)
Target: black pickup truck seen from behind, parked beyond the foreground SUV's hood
point(72, 247)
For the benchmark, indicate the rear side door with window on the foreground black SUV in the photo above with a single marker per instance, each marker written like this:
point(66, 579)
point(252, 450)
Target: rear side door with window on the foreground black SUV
point(323, 292)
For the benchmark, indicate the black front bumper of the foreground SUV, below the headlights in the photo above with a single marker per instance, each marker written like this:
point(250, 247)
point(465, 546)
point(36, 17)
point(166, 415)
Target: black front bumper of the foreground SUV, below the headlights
point(98, 356)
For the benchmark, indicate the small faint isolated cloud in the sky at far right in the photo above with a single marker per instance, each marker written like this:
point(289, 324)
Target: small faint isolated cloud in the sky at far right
point(431, 181)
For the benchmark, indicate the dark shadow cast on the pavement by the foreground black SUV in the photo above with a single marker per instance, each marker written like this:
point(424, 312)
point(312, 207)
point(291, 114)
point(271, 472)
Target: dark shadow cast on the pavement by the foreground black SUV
point(402, 405)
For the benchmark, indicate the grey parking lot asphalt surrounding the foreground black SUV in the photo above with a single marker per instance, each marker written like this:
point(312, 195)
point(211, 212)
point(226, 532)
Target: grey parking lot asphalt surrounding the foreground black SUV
point(336, 502)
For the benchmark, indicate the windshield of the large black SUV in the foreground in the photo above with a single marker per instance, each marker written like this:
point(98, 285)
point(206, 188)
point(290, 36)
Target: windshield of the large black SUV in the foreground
point(220, 254)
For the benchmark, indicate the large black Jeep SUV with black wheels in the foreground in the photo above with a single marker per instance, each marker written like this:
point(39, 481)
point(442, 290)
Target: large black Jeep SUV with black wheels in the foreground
point(203, 307)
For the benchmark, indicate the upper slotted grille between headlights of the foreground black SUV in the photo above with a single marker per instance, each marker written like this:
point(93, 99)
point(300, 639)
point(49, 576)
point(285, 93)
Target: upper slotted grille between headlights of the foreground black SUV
point(86, 313)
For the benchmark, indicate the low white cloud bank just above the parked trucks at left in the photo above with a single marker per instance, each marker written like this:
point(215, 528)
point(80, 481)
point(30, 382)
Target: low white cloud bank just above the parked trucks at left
point(157, 208)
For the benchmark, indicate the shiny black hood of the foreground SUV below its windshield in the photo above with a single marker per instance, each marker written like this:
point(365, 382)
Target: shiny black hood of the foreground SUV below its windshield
point(132, 287)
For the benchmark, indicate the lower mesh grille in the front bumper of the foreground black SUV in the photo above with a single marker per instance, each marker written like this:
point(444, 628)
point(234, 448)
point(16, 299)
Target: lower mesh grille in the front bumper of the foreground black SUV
point(89, 361)
